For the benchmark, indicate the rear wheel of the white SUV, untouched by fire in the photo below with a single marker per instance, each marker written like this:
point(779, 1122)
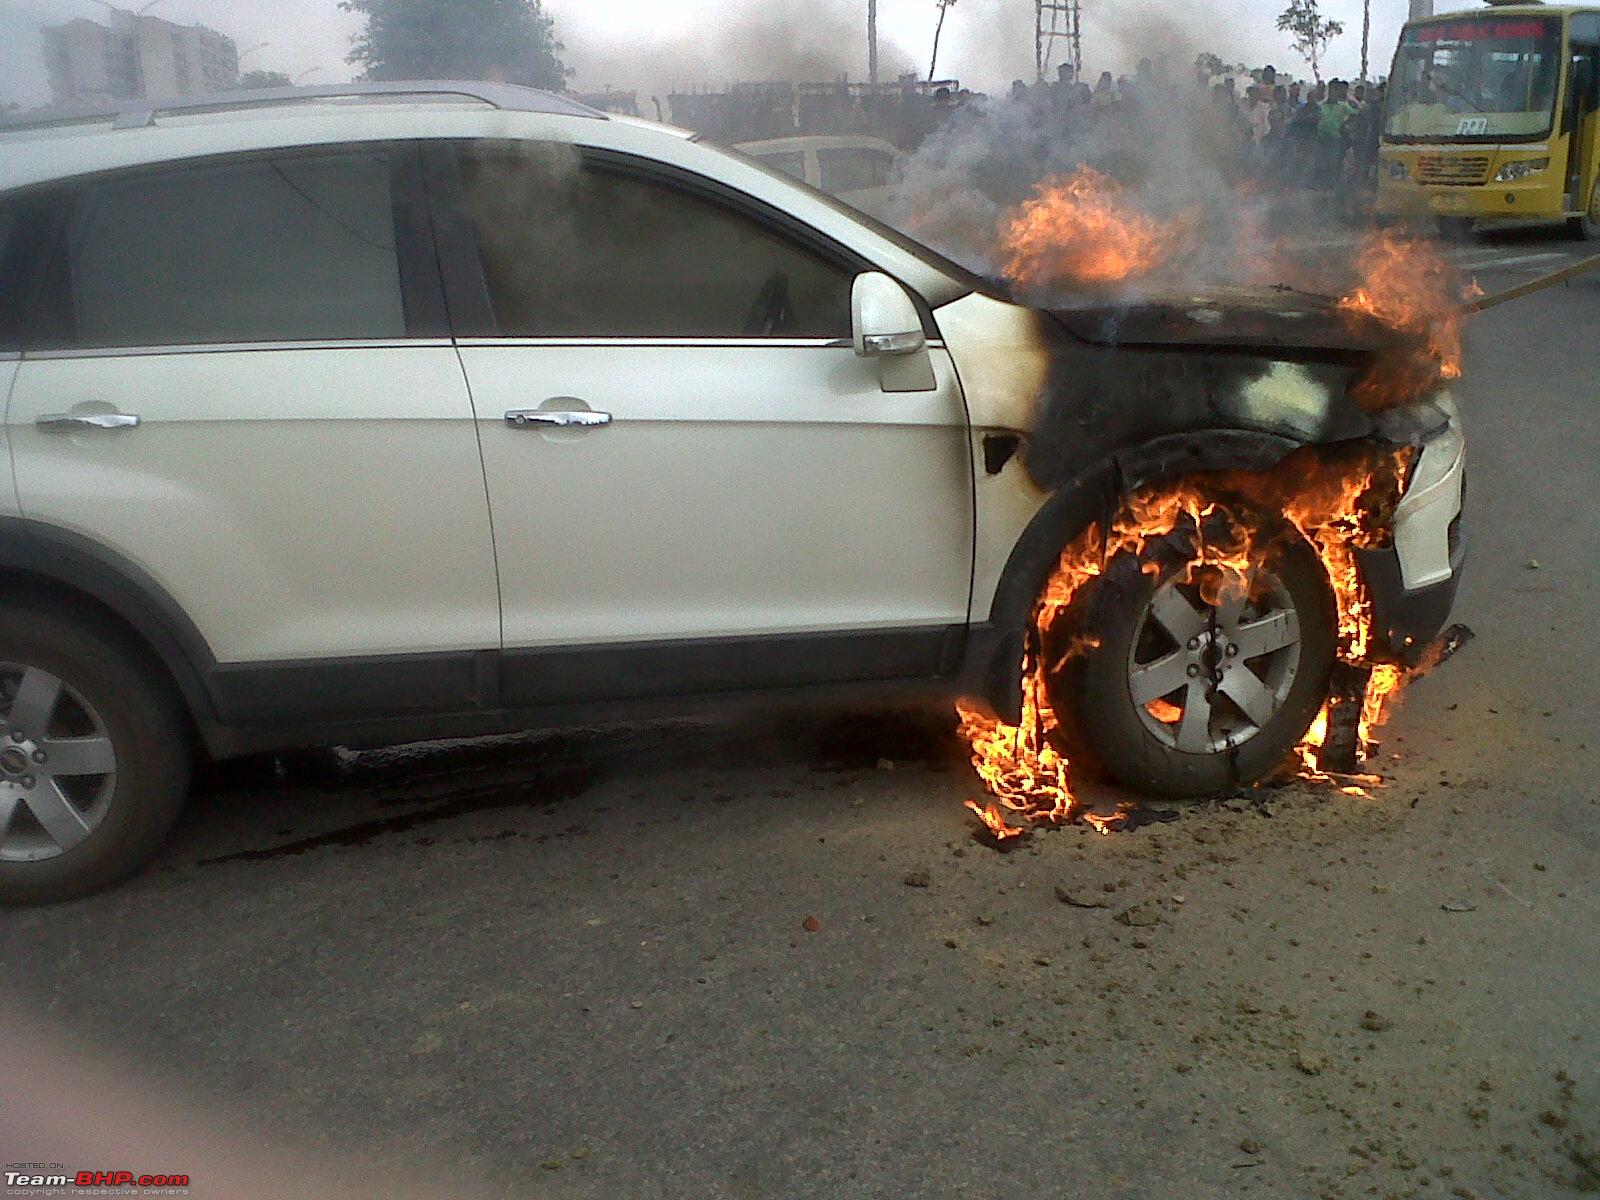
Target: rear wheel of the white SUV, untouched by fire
point(79, 697)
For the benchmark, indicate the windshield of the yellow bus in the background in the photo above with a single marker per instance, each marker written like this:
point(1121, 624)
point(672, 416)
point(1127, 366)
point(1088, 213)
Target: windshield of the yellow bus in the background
point(1476, 79)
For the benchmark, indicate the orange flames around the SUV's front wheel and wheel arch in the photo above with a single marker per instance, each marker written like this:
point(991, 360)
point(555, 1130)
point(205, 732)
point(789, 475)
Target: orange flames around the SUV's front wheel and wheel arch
point(1338, 506)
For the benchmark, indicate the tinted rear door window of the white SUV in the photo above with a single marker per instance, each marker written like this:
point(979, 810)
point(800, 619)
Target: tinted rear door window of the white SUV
point(290, 249)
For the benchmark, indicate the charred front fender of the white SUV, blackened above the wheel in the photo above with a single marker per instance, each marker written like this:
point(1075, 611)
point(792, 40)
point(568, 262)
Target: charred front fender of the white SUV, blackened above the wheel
point(1097, 422)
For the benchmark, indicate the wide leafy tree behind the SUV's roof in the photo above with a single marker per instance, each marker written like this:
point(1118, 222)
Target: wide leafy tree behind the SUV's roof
point(458, 39)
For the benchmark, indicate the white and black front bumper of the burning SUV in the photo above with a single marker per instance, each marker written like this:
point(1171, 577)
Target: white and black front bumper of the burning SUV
point(1414, 582)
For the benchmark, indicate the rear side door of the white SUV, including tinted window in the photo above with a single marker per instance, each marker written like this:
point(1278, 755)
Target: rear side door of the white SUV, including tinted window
point(242, 383)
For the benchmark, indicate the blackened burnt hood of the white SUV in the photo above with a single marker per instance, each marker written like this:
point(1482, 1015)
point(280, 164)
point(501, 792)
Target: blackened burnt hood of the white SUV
point(1273, 322)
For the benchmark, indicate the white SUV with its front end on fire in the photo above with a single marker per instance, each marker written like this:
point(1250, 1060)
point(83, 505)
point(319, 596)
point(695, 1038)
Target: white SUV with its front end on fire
point(393, 412)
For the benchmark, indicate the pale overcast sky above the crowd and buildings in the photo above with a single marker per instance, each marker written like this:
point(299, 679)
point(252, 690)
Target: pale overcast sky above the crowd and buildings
point(655, 46)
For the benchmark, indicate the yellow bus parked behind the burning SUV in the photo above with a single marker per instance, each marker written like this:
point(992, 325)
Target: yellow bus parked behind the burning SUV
point(1492, 116)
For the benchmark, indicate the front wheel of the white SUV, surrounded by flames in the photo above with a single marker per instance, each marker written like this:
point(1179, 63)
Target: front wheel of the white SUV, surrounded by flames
point(1113, 647)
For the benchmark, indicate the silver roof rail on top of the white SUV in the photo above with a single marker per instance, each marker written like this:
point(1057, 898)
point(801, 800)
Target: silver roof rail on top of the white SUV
point(137, 114)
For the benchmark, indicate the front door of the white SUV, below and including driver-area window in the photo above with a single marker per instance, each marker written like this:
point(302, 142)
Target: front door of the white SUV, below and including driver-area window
point(732, 498)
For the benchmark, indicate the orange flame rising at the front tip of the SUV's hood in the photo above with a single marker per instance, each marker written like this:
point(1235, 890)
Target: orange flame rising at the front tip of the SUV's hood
point(1409, 286)
